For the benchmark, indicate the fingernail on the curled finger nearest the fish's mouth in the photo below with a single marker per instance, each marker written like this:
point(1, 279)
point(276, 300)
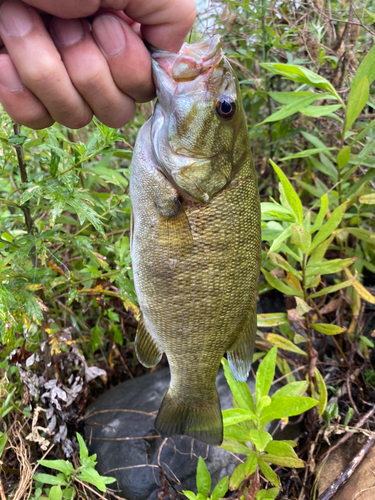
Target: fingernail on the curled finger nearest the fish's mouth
point(109, 34)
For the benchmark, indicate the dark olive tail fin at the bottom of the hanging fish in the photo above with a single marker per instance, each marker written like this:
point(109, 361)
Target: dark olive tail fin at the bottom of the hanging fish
point(202, 422)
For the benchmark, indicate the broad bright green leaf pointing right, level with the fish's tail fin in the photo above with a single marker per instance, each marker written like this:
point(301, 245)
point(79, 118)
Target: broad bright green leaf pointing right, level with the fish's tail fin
point(285, 406)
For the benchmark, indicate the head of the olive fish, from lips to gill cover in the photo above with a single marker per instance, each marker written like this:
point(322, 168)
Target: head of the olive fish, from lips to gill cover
point(198, 118)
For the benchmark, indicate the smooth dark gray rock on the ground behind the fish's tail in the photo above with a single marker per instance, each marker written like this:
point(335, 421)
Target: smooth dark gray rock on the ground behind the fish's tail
point(118, 422)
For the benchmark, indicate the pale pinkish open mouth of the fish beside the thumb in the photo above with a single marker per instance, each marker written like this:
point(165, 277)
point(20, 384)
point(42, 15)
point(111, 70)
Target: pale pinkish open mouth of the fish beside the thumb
point(191, 61)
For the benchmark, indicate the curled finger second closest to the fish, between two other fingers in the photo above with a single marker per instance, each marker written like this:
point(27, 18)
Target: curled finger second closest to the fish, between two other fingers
point(89, 72)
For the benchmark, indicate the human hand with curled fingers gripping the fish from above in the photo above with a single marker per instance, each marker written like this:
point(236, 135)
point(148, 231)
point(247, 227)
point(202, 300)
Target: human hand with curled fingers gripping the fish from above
point(87, 58)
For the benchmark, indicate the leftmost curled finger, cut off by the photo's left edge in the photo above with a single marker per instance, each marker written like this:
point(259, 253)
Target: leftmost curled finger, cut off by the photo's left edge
point(20, 104)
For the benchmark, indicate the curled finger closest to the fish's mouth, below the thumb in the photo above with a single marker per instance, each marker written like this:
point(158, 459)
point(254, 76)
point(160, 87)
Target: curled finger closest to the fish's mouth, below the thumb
point(126, 55)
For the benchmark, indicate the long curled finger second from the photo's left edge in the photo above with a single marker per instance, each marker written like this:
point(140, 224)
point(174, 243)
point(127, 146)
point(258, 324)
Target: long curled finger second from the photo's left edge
point(39, 64)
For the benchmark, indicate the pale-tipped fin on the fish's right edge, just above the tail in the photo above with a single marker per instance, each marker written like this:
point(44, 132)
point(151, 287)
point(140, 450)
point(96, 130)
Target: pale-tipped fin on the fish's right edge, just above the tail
point(240, 354)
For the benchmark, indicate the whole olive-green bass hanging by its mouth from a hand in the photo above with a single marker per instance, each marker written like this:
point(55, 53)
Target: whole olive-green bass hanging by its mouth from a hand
point(195, 235)
